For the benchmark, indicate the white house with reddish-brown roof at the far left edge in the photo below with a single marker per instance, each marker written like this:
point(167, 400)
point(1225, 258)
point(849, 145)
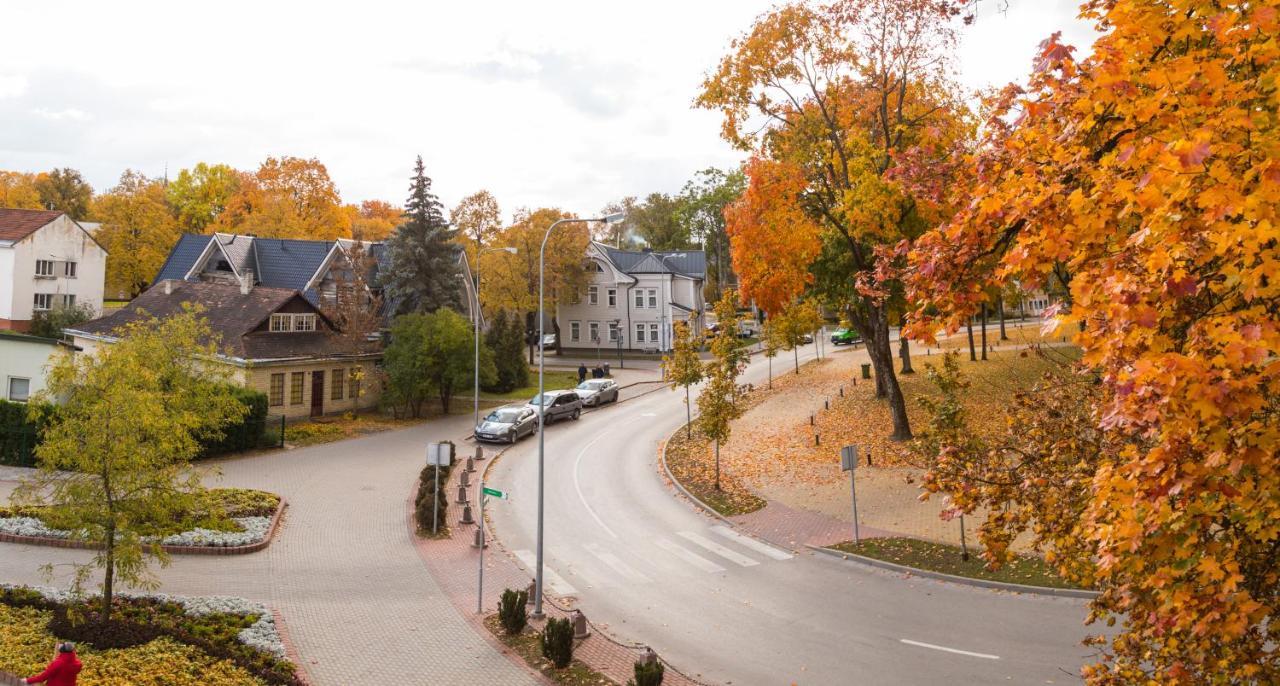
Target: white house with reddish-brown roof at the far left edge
point(47, 260)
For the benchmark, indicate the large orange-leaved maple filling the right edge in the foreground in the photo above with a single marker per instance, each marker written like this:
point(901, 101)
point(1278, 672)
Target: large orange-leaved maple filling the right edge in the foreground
point(1145, 180)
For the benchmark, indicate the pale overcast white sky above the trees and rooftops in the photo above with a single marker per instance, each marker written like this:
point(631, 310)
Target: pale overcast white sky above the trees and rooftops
point(545, 104)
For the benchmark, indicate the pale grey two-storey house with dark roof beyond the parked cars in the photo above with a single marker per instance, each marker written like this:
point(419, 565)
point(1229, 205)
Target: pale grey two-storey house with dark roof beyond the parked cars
point(634, 298)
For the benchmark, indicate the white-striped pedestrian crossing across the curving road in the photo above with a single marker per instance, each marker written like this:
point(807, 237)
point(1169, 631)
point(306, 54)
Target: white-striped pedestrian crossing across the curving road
point(707, 552)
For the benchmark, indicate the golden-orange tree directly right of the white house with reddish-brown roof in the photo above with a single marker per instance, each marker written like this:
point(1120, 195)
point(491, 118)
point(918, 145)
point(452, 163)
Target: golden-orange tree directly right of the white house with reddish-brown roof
point(138, 231)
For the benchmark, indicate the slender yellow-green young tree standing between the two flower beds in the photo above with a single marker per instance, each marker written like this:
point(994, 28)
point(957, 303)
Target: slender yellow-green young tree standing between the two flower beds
point(115, 469)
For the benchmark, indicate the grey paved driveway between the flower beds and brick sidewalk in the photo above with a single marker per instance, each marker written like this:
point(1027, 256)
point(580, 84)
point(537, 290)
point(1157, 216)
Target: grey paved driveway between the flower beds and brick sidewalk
point(358, 602)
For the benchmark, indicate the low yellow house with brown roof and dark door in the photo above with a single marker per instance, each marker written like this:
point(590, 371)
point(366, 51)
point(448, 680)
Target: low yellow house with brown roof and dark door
point(275, 341)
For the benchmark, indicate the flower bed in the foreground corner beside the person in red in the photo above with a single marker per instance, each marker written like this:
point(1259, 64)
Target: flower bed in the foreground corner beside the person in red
point(153, 641)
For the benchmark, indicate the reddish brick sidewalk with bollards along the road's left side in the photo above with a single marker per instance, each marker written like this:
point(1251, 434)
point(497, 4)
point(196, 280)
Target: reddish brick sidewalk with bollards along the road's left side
point(454, 562)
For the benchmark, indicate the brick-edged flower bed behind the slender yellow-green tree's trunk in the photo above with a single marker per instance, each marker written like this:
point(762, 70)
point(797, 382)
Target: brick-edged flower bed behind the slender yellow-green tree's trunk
point(245, 520)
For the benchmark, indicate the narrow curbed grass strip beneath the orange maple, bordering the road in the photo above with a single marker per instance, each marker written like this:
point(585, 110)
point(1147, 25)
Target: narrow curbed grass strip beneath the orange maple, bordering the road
point(936, 557)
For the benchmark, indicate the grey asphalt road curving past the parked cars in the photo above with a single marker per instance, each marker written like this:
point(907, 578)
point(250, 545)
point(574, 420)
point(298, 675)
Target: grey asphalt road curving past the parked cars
point(738, 611)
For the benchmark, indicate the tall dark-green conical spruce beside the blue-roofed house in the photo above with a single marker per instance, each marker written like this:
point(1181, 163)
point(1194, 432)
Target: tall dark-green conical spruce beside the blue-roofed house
point(423, 275)
